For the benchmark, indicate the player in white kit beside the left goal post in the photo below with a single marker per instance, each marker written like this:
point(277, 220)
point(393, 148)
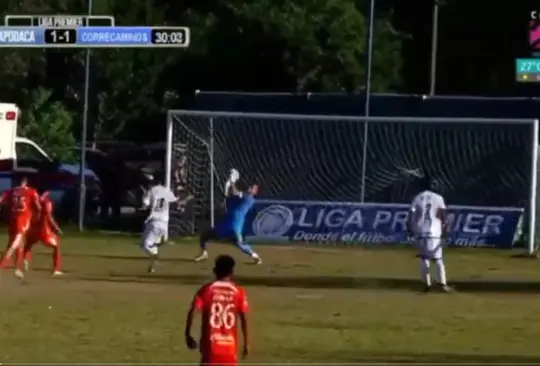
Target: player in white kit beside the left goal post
point(157, 200)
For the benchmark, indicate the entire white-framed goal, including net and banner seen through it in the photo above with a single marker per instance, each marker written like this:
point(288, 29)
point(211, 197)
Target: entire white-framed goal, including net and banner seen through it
point(317, 168)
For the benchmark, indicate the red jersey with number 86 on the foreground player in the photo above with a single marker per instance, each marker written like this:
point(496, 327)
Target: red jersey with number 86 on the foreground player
point(220, 303)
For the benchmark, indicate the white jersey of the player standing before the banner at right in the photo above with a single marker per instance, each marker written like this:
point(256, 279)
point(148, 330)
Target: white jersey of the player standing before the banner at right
point(424, 209)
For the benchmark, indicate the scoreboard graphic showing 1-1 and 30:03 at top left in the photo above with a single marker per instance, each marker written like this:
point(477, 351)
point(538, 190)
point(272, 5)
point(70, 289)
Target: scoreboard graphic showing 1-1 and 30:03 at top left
point(72, 31)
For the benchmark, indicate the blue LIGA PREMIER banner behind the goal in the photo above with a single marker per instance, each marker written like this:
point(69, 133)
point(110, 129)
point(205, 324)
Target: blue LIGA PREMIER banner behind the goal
point(375, 223)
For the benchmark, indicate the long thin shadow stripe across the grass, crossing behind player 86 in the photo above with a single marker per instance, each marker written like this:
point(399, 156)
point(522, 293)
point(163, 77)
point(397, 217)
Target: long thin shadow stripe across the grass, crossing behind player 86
point(320, 282)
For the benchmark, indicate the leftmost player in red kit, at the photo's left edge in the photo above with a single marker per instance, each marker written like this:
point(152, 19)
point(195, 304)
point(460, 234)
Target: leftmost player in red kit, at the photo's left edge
point(24, 204)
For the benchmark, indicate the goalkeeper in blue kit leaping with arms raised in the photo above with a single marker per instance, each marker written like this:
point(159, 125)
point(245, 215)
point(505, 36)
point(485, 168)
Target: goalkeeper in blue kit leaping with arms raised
point(231, 227)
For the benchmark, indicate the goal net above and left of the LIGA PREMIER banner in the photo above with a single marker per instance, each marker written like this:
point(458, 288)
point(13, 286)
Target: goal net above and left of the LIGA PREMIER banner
point(475, 162)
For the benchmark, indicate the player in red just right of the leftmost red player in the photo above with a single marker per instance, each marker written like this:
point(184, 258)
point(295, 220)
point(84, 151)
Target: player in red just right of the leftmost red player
point(45, 230)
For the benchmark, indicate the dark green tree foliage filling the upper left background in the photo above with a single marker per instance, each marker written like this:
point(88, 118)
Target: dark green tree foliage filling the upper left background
point(286, 45)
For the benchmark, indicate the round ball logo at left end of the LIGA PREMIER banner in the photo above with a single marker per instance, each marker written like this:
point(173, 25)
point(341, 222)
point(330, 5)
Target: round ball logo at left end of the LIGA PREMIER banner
point(273, 221)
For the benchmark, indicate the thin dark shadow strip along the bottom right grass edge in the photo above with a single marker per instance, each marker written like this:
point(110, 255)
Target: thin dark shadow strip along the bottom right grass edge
point(389, 357)
